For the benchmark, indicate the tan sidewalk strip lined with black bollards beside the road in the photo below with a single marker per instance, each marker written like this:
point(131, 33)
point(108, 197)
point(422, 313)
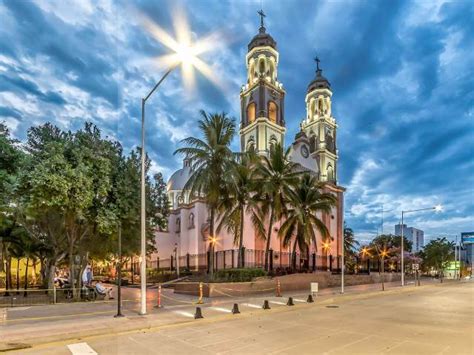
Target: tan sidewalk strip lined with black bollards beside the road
point(41, 324)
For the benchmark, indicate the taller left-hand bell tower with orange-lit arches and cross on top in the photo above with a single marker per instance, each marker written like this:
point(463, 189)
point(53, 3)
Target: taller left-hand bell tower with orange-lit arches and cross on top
point(262, 98)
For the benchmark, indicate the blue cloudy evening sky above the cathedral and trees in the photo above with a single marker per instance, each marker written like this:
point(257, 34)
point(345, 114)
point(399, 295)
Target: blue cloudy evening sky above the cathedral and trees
point(401, 74)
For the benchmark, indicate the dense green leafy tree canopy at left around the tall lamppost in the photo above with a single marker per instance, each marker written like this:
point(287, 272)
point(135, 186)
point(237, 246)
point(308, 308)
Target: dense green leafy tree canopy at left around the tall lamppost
point(70, 191)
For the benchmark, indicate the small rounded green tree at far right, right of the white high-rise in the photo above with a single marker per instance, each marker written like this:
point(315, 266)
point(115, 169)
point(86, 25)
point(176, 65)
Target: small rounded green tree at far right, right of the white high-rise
point(436, 254)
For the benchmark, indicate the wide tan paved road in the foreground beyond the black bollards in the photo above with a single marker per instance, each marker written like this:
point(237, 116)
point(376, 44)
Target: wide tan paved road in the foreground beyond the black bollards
point(435, 319)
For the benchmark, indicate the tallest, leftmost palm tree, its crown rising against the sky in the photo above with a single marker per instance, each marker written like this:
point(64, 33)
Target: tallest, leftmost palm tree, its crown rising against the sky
point(211, 158)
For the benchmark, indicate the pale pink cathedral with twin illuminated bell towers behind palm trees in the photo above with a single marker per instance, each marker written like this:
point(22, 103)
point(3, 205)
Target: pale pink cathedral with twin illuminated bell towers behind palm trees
point(262, 124)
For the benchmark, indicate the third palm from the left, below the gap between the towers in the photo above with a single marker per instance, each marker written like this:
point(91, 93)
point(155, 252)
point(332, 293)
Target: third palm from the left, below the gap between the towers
point(274, 177)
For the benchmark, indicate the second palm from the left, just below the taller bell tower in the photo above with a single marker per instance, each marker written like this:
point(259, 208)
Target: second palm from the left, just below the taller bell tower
point(239, 199)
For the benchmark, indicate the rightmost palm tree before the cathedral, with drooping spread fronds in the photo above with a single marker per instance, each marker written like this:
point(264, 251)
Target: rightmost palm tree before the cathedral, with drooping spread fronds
point(305, 200)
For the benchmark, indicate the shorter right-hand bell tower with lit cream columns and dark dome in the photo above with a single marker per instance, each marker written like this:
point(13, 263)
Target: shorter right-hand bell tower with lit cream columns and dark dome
point(320, 126)
